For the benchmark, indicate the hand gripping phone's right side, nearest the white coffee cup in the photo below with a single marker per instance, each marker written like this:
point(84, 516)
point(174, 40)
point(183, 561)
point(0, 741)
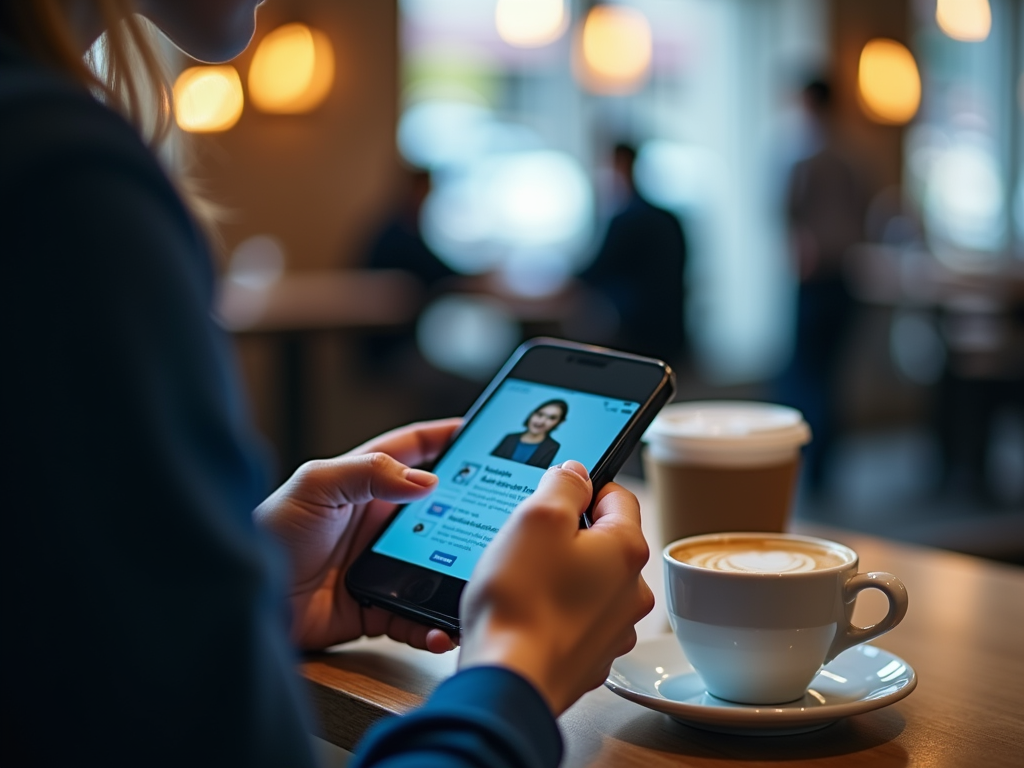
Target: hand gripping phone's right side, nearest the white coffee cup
point(556, 604)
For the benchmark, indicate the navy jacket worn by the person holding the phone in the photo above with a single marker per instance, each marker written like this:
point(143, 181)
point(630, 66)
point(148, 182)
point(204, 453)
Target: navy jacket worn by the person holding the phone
point(145, 619)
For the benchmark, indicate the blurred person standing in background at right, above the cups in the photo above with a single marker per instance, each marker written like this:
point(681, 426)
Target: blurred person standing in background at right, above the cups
point(826, 212)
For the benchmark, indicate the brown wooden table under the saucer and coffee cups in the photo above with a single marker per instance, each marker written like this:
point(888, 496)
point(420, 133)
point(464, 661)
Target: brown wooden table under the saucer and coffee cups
point(964, 635)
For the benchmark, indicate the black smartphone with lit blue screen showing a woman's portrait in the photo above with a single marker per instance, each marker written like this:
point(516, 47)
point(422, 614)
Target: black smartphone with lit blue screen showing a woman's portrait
point(553, 401)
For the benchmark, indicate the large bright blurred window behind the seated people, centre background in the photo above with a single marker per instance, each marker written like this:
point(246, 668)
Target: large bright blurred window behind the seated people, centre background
point(496, 104)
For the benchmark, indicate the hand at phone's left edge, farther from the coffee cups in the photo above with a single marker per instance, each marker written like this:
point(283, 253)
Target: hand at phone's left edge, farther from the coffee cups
point(329, 511)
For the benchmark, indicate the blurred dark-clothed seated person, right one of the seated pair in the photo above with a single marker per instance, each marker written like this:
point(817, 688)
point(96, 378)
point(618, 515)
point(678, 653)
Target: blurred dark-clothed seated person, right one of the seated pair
point(641, 269)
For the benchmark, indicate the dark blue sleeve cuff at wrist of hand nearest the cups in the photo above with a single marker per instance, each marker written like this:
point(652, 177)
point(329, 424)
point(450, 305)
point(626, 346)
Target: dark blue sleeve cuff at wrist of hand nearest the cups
point(485, 717)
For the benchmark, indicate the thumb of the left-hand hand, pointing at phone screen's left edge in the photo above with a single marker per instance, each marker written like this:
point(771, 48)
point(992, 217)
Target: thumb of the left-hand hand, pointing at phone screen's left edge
point(357, 480)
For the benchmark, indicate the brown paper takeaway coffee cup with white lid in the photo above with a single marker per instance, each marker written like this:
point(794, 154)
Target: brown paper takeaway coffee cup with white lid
point(715, 466)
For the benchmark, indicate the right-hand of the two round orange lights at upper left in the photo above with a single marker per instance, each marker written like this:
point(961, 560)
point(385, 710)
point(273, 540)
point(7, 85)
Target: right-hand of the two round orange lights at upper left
point(292, 70)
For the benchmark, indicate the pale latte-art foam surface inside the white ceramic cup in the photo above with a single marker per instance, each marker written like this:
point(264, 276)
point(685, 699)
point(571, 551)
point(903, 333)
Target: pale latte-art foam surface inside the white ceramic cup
point(759, 557)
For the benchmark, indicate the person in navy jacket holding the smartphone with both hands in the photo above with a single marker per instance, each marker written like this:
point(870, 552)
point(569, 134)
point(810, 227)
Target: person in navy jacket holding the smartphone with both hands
point(141, 584)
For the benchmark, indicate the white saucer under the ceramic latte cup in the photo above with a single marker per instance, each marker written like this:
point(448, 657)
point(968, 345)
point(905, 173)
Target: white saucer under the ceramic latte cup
point(656, 674)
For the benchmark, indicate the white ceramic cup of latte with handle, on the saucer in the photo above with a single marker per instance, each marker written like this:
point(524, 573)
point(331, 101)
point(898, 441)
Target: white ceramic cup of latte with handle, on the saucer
point(758, 615)
